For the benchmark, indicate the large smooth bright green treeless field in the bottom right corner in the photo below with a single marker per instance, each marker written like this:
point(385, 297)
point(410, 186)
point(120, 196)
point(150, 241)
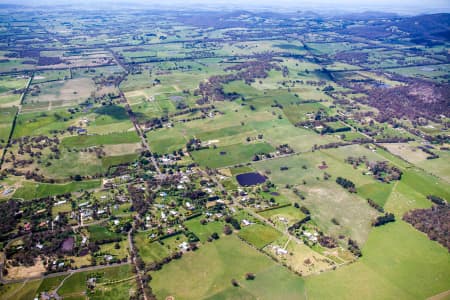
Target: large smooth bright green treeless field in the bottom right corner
point(398, 263)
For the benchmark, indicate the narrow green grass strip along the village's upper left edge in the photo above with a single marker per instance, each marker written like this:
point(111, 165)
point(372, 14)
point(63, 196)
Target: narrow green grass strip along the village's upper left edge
point(31, 190)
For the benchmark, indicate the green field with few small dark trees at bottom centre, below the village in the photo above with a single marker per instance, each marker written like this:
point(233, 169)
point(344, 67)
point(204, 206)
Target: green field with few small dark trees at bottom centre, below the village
point(215, 264)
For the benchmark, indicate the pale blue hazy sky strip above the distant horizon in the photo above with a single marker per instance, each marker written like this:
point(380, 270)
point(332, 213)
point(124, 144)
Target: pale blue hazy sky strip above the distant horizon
point(398, 6)
